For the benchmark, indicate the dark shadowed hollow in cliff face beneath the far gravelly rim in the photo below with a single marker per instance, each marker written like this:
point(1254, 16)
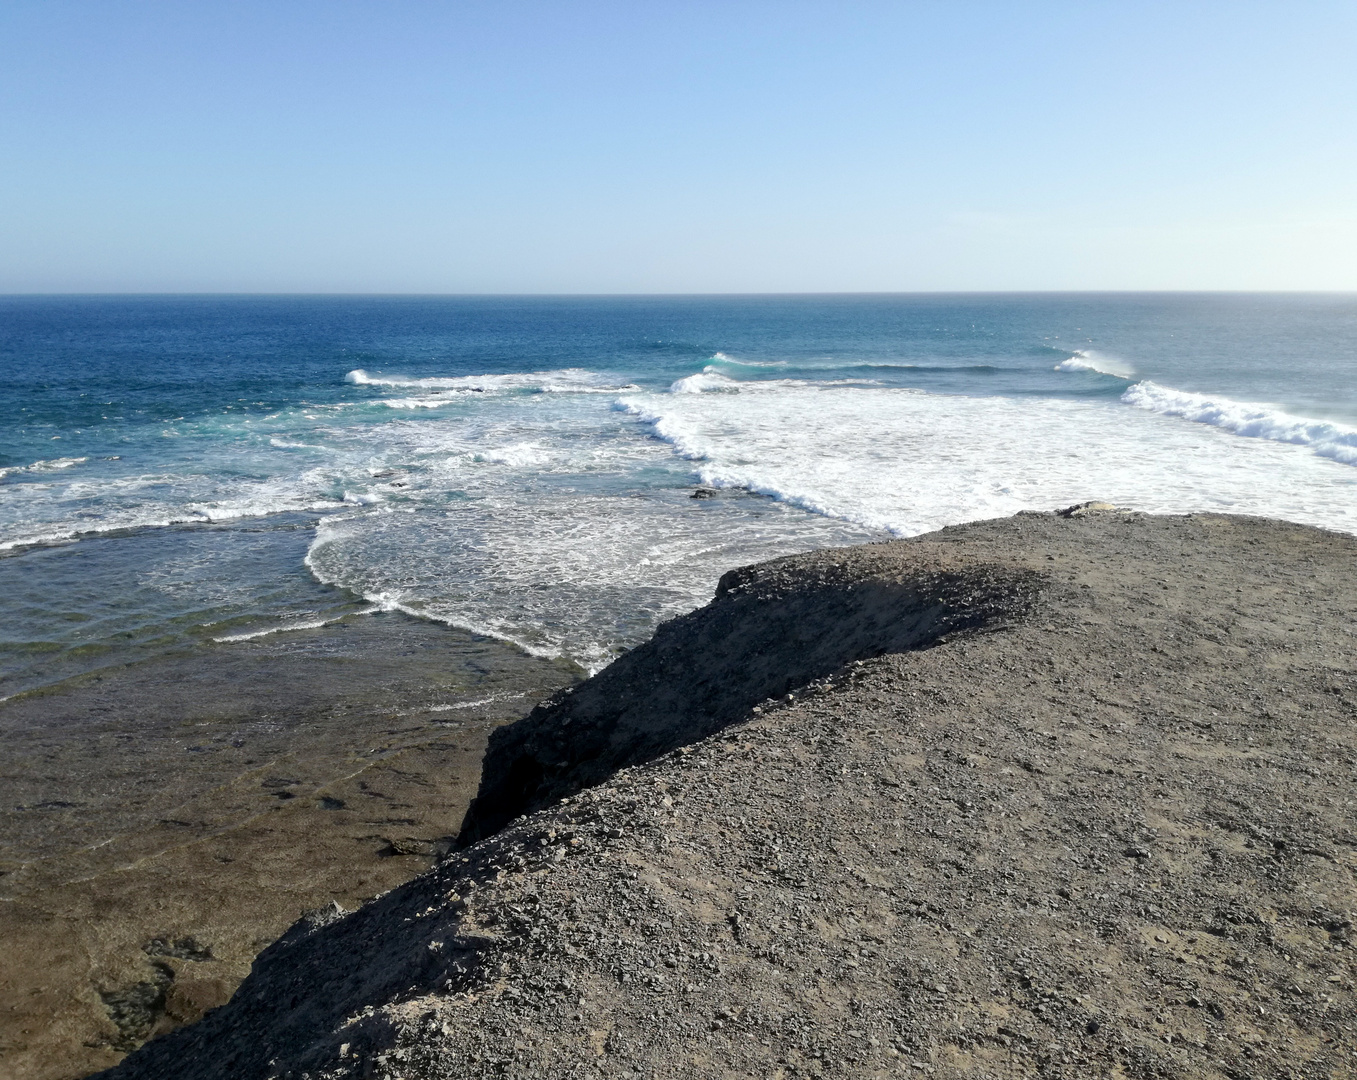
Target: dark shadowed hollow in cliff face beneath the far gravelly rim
point(771, 630)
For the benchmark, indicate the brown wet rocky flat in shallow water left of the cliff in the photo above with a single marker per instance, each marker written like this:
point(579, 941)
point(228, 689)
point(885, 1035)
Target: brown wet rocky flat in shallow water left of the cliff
point(161, 824)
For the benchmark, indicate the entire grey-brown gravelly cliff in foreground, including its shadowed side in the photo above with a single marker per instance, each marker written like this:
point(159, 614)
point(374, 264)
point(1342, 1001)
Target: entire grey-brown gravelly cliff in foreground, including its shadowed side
point(1054, 796)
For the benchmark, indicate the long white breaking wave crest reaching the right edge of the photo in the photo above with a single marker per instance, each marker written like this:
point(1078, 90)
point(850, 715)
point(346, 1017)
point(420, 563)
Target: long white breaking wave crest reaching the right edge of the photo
point(1248, 419)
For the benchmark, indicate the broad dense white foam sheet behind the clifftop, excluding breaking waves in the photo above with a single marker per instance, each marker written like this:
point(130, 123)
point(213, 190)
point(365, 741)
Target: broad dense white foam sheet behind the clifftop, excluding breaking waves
point(910, 462)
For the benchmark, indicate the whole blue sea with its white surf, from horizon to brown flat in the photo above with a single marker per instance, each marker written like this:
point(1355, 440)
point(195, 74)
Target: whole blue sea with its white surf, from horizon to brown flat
point(199, 471)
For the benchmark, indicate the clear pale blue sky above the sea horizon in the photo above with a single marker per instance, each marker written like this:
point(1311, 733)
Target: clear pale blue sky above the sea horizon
point(515, 147)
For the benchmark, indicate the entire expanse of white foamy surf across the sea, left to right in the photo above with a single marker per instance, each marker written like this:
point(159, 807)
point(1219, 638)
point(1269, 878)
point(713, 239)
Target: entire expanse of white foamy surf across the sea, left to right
point(561, 524)
